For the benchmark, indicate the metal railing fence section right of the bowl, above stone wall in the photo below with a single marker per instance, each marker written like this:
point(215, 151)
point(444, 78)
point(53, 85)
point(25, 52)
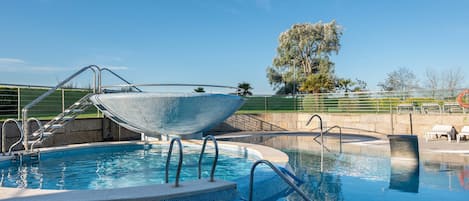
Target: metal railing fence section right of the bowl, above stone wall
point(422, 101)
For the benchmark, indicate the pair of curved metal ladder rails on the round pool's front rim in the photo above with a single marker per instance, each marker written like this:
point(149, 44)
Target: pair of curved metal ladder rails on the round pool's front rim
point(179, 167)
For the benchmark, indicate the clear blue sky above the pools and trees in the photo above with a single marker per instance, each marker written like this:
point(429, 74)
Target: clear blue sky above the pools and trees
point(224, 42)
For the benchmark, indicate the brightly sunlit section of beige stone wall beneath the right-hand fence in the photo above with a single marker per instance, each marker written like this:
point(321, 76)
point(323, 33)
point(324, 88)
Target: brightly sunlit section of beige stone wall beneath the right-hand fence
point(366, 123)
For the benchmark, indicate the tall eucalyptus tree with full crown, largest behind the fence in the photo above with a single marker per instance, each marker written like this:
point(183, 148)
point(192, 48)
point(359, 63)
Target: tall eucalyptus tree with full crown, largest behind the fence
point(304, 51)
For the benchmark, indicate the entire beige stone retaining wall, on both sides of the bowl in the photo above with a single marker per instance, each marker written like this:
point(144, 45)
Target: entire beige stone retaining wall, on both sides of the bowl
point(98, 129)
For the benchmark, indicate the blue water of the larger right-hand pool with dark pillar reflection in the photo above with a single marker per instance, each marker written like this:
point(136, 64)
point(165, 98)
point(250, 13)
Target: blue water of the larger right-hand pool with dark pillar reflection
point(358, 177)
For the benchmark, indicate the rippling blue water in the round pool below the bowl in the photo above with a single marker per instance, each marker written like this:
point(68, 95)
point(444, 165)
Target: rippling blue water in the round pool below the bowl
point(118, 166)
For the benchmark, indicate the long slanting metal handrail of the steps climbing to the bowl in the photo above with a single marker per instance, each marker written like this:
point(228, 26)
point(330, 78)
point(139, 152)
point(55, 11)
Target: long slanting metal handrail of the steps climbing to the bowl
point(26, 108)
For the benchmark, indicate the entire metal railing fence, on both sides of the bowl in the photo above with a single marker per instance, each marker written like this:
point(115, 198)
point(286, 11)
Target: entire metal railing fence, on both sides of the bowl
point(14, 97)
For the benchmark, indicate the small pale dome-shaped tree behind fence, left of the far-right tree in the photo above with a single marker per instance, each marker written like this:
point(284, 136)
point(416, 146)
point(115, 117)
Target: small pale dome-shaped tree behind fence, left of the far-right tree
point(401, 79)
